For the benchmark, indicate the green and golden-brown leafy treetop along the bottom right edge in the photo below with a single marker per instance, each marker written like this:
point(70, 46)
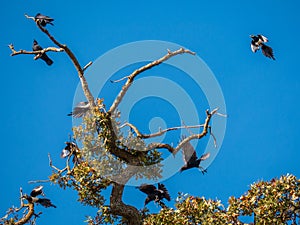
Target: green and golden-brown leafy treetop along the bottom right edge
point(273, 202)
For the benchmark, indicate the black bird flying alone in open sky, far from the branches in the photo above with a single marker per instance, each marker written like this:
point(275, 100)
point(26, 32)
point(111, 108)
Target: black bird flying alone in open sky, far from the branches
point(258, 42)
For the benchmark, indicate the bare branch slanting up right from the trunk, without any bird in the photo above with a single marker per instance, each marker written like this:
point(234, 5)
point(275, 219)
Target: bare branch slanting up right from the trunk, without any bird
point(131, 77)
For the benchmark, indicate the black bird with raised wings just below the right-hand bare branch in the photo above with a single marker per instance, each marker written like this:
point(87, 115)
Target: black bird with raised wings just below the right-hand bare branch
point(190, 158)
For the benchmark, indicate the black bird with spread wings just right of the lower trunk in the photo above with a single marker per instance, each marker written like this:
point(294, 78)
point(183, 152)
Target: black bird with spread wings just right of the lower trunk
point(153, 194)
